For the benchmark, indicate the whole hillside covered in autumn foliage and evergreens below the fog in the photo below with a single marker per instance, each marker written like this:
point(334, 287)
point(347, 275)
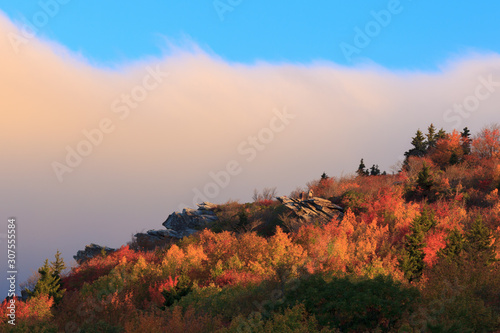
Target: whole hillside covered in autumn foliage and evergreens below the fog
point(413, 251)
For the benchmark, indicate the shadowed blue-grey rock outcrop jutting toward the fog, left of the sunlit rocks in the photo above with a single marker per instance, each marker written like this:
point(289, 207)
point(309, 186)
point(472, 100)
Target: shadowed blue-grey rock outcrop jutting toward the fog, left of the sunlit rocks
point(179, 225)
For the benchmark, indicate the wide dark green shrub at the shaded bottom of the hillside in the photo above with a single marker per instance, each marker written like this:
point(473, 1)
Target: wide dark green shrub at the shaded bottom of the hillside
point(354, 304)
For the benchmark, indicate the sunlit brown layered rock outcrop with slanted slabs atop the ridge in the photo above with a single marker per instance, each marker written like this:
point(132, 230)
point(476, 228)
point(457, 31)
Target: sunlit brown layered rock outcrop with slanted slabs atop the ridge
point(313, 207)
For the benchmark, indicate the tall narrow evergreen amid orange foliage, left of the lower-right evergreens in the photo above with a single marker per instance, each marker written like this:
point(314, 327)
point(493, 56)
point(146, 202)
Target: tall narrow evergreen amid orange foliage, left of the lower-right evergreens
point(412, 262)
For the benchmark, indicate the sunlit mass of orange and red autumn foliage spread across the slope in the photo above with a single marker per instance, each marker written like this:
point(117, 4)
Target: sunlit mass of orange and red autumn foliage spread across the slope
point(125, 287)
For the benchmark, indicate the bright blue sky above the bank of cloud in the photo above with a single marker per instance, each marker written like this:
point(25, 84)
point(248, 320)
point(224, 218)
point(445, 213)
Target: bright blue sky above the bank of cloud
point(421, 35)
